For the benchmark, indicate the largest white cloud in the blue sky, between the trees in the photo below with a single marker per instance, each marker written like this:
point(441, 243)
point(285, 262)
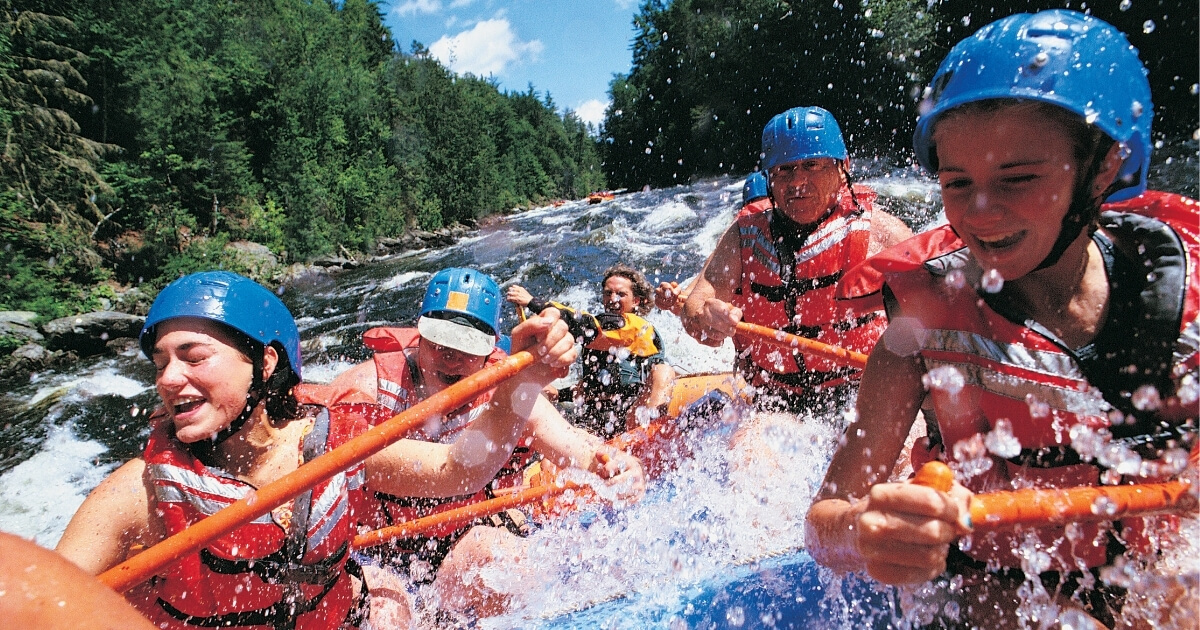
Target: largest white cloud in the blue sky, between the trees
point(485, 50)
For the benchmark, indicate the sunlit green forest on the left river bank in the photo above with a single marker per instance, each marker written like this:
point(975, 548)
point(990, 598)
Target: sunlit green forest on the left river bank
point(142, 136)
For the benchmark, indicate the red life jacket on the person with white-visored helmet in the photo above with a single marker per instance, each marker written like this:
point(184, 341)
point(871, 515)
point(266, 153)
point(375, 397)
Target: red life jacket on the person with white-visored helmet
point(398, 375)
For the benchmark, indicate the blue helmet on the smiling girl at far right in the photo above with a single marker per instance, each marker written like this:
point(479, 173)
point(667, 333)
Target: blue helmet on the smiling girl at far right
point(1064, 58)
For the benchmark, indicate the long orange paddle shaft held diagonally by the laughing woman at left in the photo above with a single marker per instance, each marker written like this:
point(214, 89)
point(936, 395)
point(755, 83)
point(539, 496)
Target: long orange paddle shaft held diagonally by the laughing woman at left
point(143, 566)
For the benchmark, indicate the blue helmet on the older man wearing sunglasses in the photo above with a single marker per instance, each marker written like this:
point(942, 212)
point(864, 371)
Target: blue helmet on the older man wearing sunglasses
point(801, 134)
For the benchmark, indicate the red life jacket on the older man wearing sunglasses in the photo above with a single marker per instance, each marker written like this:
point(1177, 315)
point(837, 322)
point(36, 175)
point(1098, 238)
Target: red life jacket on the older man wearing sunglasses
point(795, 292)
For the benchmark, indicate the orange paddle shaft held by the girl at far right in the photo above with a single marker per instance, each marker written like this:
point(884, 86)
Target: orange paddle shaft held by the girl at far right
point(1006, 509)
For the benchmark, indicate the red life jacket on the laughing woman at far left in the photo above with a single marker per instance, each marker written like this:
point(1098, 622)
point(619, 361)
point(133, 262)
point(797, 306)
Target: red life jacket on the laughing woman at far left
point(286, 569)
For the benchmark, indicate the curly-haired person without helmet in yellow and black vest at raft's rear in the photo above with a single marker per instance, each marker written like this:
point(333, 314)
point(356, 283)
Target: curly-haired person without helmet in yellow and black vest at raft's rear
point(625, 377)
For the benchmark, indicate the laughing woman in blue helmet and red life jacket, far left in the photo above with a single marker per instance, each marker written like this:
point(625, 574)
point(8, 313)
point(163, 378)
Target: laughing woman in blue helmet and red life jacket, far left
point(227, 357)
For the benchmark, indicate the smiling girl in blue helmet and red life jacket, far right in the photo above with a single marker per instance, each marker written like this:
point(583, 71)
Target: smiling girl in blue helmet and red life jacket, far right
point(1057, 338)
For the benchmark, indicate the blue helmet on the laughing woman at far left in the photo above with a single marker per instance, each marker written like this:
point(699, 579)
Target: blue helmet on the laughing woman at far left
point(233, 301)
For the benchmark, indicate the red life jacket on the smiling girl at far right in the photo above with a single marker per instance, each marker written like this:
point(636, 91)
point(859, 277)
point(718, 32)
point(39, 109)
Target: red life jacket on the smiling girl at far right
point(1022, 374)
